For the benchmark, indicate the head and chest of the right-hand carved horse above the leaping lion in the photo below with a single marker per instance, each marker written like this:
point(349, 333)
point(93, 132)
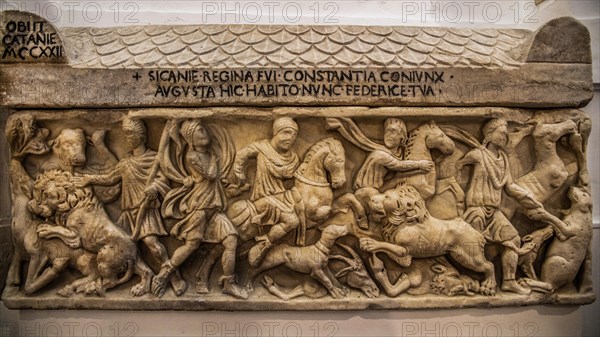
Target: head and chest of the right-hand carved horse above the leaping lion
point(421, 142)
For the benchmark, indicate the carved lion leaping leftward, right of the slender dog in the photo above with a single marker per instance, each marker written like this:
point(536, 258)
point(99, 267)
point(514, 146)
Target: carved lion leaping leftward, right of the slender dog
point(410, 231)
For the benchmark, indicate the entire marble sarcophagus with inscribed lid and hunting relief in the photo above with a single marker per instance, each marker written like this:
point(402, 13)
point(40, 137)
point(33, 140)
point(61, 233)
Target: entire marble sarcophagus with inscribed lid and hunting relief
point(462, 201)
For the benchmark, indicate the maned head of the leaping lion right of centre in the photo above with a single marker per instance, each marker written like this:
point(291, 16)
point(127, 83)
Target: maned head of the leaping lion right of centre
point(398, 206)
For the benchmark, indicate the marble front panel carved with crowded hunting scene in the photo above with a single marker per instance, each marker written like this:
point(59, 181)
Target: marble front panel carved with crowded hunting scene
point(324, 208)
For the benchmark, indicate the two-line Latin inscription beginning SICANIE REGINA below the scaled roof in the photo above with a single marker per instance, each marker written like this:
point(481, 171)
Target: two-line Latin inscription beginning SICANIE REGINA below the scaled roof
point(294, 83)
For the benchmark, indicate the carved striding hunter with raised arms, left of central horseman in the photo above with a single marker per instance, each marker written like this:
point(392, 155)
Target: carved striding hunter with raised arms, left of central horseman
point(202, 162)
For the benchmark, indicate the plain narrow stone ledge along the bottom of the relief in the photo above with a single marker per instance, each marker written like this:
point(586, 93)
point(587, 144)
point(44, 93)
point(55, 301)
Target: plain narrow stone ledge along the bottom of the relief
point(194, 302)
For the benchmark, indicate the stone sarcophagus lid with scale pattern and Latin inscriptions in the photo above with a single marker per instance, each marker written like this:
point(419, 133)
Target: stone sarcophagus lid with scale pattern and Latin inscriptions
point(377, 66)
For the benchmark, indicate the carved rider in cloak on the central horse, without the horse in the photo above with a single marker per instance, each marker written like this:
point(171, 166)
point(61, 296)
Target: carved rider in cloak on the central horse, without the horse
point(272, 203)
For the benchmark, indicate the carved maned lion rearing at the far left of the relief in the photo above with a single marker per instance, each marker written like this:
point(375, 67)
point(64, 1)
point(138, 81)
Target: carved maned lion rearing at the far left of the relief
point(81, 221)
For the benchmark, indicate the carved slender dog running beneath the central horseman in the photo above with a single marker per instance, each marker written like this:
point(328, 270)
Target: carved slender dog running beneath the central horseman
point(311, 260)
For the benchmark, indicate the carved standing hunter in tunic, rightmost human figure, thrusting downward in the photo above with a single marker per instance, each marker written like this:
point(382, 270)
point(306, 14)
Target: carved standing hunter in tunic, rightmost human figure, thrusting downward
point(491, 176)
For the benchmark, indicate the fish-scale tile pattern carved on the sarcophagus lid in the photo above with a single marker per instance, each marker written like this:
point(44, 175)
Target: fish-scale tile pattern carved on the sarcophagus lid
point(304, 46)
